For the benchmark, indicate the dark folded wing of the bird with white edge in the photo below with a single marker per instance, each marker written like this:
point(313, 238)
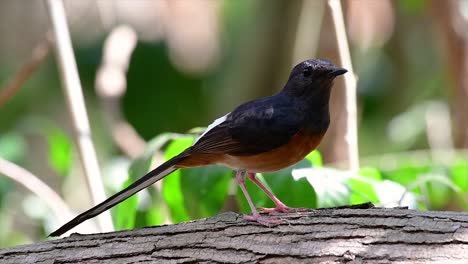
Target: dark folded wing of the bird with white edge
point(253, 128)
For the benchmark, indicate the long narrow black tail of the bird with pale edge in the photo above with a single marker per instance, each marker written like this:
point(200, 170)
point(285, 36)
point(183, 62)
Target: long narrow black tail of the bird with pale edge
point(145, 181)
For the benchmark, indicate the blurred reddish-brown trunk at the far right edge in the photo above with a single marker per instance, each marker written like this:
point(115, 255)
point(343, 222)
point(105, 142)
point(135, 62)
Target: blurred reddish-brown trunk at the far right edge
point(453, 26)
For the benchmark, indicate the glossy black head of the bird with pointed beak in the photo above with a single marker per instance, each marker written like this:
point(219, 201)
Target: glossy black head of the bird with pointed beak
point(312, 77)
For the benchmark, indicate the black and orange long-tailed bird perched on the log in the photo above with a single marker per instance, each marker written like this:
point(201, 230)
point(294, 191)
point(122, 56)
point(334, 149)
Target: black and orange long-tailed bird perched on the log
point(262, 135)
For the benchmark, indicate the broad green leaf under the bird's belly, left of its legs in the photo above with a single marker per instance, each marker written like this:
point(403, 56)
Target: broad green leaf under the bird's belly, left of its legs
point(205, 189)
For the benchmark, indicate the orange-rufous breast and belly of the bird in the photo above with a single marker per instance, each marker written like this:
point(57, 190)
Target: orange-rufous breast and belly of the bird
point(294, 151)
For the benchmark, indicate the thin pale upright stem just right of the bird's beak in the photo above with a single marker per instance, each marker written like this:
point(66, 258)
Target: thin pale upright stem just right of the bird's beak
point(350, 84)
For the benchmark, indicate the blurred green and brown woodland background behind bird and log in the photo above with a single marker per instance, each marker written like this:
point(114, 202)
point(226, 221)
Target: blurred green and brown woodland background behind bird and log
point(157, 71)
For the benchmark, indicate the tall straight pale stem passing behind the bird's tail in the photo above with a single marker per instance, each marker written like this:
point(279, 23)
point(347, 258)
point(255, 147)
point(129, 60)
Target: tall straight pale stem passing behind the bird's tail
point(75, 101)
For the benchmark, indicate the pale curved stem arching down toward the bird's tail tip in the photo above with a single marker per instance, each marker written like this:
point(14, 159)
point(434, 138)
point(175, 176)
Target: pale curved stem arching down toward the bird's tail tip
point(38, 187)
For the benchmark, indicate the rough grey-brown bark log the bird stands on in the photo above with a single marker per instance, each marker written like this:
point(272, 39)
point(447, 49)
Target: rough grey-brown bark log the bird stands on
point(319, 236)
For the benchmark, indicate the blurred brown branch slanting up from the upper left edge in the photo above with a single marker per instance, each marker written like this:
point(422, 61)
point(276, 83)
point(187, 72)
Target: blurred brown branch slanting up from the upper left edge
point(39, 54)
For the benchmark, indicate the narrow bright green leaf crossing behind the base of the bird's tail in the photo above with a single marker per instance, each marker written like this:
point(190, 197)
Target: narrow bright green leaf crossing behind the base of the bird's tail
point(172, 185)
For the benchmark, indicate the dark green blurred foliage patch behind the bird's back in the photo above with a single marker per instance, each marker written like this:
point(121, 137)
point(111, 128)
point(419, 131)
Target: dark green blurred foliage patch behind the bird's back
point(152, 79)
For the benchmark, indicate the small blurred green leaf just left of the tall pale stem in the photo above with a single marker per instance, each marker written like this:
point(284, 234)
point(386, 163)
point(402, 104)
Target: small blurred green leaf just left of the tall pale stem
point(60, 151)
